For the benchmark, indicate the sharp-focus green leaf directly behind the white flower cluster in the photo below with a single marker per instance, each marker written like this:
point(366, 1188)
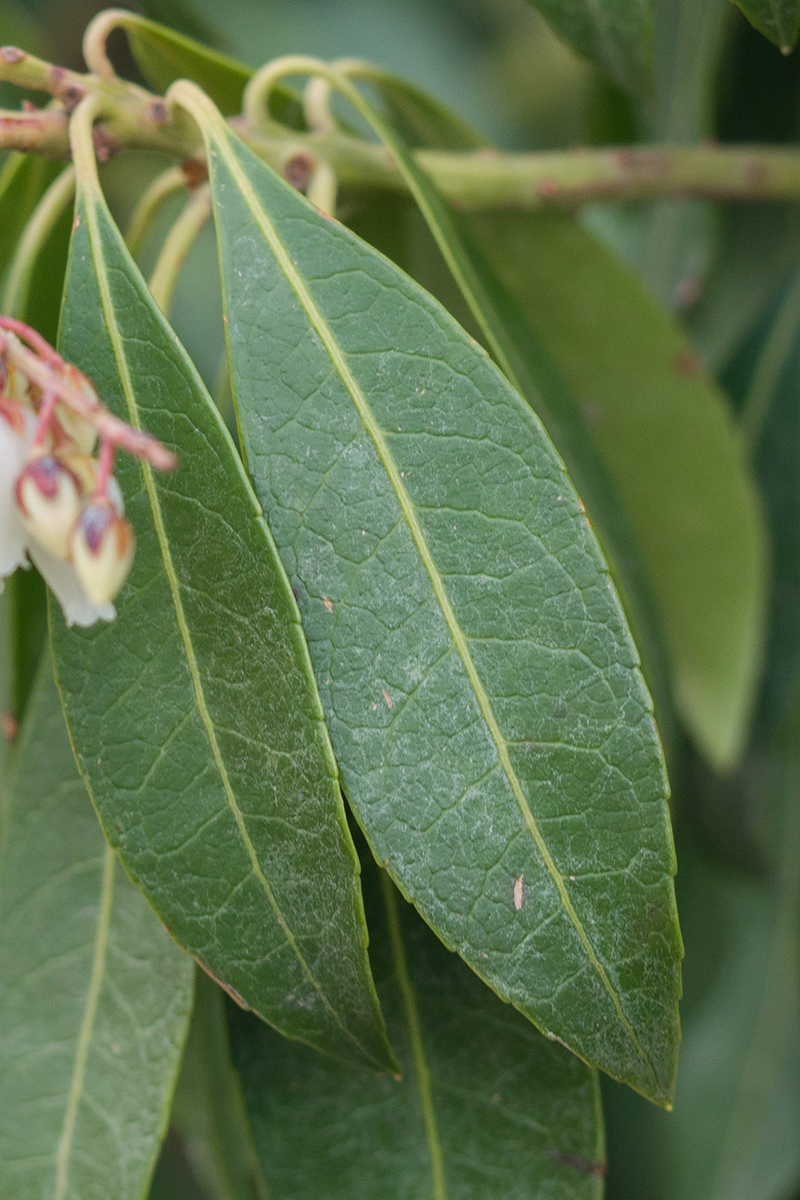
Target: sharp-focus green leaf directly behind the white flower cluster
point(195, 715)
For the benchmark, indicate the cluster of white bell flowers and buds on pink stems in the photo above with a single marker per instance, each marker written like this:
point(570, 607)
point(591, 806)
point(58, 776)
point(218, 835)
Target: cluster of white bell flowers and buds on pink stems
point(61, 505)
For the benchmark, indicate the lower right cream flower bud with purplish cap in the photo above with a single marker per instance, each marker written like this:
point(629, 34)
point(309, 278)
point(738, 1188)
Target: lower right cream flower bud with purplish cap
point(103, 550)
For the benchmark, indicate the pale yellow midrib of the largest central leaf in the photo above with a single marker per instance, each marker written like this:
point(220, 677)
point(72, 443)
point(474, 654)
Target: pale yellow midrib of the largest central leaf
point(326, 335)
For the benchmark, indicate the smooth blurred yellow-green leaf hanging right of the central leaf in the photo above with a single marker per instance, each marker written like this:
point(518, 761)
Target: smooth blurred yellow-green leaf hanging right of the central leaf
point(667, 440)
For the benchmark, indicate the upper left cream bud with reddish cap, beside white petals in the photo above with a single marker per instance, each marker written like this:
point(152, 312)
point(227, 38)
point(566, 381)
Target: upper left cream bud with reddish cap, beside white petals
point(49, 497)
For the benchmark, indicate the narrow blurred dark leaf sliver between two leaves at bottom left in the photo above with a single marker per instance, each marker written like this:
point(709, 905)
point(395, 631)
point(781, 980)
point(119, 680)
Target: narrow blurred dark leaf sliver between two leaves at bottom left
point(209, 1111)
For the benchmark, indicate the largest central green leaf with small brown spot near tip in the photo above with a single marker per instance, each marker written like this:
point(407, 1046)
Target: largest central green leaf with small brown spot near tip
point(482, 688)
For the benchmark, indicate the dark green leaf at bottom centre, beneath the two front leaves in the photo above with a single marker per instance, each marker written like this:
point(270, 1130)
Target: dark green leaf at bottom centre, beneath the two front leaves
point(488, 1107)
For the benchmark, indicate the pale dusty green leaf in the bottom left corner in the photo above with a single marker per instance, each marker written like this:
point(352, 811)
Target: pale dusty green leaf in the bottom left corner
point(95, 997)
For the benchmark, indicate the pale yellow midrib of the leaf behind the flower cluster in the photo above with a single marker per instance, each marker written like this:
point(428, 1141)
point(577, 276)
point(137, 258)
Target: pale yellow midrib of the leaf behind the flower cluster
point(175, 587)
